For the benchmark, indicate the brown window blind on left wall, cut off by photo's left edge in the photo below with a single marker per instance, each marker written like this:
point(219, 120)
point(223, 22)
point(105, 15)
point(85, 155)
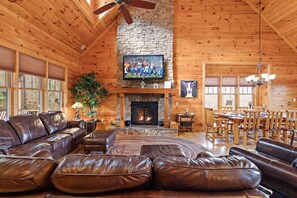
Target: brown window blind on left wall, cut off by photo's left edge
point(7, 59)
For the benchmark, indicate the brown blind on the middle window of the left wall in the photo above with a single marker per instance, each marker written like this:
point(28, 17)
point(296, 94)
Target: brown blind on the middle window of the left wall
point(31, 65)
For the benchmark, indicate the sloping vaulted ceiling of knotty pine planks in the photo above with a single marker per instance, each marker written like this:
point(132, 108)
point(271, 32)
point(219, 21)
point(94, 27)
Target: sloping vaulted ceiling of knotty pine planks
point(72, 22)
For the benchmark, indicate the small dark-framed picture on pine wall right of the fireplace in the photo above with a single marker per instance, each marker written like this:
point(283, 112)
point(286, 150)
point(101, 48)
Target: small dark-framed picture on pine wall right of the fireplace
point(188, 88)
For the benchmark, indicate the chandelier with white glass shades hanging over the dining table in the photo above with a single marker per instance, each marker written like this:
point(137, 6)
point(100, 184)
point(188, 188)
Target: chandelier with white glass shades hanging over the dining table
point(260, 78)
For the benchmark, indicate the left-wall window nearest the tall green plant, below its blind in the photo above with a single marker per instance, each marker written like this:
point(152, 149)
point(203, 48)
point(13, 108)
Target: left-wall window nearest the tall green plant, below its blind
point(55, 93)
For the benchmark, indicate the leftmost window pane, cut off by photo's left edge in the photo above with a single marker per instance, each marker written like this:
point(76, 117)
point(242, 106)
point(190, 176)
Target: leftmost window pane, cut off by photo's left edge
point(5, 83)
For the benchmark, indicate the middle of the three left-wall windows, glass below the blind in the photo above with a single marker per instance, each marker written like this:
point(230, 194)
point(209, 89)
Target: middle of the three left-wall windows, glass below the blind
point(30, 94)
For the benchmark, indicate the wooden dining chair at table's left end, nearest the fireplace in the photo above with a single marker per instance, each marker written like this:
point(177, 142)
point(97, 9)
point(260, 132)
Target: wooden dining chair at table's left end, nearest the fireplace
point(218, 126)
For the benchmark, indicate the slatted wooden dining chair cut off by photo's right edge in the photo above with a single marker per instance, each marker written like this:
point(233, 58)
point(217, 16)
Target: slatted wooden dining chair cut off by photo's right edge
point(290, 126)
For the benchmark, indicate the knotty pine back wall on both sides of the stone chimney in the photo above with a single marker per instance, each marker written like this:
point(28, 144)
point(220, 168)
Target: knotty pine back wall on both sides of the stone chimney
point(223, 32)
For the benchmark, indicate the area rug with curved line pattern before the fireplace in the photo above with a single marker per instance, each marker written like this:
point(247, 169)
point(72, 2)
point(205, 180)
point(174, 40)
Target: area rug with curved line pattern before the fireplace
point(130, 145)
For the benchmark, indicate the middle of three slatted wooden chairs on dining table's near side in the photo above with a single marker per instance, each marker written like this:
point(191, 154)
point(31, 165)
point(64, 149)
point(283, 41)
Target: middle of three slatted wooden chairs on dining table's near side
point(273, 124)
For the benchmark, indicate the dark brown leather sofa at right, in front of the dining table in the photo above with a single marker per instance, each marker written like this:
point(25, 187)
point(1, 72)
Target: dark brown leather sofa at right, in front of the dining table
point(276, 162)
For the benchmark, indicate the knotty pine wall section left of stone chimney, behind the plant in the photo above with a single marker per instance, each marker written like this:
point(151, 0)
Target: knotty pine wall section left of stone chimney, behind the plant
point(102, 59)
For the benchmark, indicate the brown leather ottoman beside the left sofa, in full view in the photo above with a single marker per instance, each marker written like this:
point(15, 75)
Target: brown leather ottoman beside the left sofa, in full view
point(99, 140)
